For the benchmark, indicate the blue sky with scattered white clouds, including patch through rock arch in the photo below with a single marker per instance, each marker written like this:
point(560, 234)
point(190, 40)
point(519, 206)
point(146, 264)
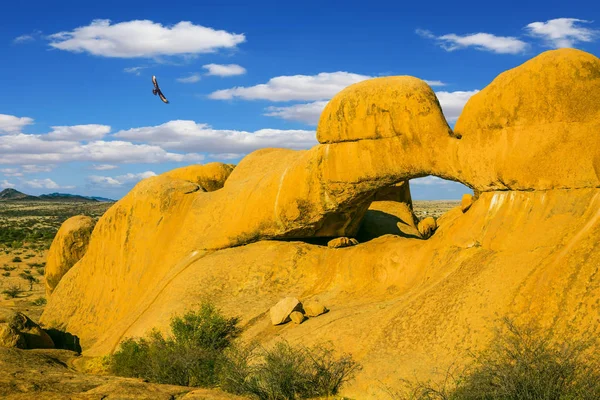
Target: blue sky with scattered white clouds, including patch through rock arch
point(77, 114)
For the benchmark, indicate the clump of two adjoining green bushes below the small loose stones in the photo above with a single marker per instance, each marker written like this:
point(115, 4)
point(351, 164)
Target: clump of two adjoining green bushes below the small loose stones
point(202, 352)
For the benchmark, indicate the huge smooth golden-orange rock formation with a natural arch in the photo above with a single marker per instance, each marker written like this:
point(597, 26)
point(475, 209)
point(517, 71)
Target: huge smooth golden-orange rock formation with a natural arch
point(404, 303)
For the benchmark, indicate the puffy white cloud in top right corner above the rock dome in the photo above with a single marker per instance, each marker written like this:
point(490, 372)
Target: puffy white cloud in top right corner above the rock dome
point(562, 32)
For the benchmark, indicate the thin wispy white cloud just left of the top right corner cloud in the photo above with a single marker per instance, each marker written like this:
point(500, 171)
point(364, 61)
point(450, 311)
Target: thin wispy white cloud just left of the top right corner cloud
point(480, 41)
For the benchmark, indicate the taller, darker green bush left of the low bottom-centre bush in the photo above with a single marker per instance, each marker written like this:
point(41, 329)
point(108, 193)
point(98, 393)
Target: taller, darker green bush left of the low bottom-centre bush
point(190, 357)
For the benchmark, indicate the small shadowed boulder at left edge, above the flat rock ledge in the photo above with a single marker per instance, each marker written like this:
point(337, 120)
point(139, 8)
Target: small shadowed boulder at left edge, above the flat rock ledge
point(18, 331)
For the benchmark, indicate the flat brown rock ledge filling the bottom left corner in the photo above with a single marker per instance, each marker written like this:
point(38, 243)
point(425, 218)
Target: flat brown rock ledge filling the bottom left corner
point(49, 375)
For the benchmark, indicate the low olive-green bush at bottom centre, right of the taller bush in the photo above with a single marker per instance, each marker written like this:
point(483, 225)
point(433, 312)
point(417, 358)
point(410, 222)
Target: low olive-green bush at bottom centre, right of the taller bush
point(285, 372)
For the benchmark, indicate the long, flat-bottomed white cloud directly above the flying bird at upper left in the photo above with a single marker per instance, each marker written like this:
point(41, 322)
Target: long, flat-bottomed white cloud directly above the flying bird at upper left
point(143, 38)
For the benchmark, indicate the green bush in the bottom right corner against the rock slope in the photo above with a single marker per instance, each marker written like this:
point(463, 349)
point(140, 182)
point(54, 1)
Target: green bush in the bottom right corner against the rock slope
point(522, 363)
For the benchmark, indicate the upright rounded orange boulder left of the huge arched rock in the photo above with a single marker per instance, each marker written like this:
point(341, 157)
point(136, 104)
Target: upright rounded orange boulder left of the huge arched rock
point(69, 245)
